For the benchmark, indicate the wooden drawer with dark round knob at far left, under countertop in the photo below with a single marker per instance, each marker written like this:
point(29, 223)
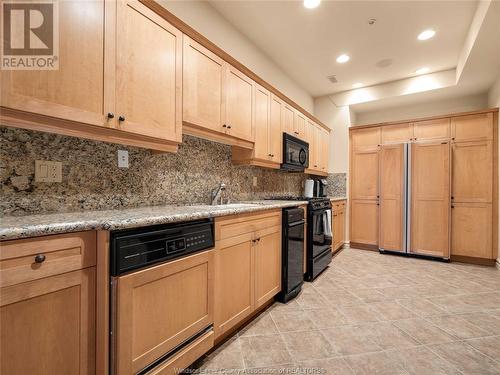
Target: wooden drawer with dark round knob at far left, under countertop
point(62, 253)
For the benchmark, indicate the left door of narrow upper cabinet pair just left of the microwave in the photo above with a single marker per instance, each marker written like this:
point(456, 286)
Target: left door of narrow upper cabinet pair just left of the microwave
point(262, 118)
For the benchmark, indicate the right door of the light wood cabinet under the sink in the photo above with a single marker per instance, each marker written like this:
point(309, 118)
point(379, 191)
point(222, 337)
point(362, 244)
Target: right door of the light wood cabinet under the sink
point(267, 266)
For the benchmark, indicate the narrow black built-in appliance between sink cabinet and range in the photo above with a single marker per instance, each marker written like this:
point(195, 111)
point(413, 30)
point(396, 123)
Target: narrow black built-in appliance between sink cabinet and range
point(292, 275)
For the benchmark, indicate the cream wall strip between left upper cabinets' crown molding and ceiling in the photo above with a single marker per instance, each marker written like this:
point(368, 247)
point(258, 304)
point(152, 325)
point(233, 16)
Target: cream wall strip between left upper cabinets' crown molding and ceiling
point(207, 21)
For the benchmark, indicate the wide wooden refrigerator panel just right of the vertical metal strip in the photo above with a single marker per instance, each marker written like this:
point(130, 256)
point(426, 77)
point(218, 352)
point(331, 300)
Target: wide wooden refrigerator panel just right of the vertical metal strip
point(430, 199)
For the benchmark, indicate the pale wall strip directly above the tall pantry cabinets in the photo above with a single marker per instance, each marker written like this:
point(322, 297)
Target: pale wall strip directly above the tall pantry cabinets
point(432, 108)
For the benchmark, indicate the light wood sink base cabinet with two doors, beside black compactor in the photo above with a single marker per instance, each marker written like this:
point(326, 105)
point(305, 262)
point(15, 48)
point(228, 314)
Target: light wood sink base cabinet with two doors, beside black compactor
point(247, 266)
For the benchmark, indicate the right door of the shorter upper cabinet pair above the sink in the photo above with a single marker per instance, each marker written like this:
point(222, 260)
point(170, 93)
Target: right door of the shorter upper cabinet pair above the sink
point(238, 104)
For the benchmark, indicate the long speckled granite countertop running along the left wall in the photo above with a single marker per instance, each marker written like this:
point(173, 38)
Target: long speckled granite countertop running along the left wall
point(14, 227)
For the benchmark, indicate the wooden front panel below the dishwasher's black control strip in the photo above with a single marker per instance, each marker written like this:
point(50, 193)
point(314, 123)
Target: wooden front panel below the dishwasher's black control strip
point(152, 314)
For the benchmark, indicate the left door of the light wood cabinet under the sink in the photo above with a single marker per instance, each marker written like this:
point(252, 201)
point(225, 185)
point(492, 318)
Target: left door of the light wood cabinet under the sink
point(234, 282)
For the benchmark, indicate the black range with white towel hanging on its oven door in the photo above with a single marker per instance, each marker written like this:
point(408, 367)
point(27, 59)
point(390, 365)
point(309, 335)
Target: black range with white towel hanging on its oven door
point(319, 234)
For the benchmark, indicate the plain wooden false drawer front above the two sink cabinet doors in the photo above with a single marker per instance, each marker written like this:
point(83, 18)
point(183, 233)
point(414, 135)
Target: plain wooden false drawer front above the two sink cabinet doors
point(231, 226)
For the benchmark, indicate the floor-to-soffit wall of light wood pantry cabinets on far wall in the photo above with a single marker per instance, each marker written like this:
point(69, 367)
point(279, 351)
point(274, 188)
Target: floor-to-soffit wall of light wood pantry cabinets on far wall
point(454, 178)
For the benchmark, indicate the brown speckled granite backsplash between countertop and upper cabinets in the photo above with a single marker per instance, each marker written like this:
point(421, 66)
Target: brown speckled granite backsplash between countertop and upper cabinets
point(92, 179)
